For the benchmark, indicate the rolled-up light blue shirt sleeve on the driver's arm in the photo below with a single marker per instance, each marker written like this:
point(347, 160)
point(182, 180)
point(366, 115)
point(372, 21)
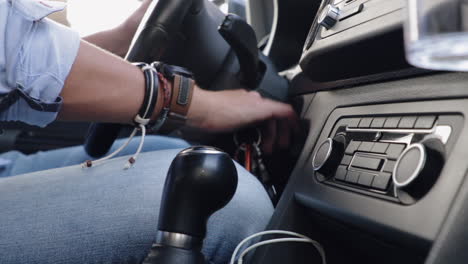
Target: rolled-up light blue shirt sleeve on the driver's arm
point(36, 56)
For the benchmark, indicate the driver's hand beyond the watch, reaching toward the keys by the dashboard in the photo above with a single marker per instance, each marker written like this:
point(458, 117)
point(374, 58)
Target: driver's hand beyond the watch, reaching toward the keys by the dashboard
point(230, 110)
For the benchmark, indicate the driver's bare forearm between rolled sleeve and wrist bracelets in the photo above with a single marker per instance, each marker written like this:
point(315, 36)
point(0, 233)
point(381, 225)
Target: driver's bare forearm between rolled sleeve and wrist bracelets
point(101, 87)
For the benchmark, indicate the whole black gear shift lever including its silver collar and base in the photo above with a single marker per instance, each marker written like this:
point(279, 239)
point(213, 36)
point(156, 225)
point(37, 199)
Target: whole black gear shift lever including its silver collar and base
point(200, 181)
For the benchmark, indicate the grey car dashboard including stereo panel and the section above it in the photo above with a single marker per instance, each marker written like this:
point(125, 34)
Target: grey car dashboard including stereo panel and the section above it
point(381, 176)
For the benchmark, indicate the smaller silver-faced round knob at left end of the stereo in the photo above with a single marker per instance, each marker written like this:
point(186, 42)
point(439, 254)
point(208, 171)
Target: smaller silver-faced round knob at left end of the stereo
point(328, 155)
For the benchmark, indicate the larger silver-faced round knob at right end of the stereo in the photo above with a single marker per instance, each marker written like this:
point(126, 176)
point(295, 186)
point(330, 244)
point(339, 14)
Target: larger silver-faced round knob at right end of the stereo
point(418, 167)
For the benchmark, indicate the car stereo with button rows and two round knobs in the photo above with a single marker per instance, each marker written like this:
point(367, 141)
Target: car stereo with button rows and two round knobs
point(395, 157)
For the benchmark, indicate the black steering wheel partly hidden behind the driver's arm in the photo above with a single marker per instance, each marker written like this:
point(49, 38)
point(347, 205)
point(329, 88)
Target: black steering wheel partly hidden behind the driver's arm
point(185, 33)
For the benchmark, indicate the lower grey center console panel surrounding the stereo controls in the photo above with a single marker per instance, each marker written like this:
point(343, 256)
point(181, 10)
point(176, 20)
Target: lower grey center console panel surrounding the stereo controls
point(380, 171)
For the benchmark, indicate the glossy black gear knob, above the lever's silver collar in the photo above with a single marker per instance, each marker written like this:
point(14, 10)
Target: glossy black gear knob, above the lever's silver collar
point(200, 181)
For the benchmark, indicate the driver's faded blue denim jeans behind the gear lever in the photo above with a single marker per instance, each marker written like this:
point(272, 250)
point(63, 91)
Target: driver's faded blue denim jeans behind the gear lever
point(106, 214)
